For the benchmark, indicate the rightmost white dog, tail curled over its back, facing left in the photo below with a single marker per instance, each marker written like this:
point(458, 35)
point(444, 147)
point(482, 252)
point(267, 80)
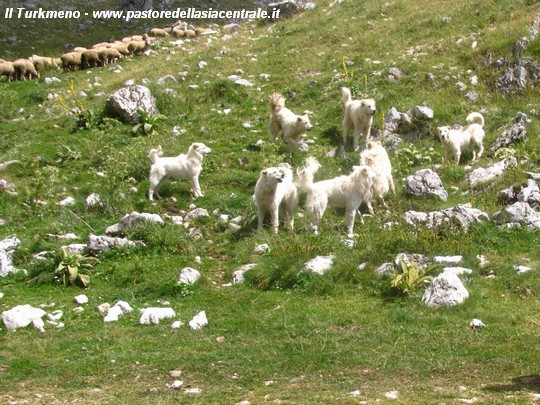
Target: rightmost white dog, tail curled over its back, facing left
point(455, 141)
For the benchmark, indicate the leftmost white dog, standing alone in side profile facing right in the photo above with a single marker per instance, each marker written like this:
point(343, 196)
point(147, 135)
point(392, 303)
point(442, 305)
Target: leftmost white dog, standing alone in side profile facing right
point(184, 167)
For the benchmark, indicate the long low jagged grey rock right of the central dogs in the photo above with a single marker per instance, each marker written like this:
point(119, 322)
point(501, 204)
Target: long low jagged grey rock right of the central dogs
point(461, 215)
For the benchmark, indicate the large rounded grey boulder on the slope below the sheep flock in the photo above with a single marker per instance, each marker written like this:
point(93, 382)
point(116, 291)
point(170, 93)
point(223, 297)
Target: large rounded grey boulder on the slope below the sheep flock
point(127, 103)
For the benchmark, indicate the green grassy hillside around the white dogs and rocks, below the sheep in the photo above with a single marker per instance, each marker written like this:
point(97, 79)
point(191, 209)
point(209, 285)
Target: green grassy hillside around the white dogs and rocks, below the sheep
point(285, 336)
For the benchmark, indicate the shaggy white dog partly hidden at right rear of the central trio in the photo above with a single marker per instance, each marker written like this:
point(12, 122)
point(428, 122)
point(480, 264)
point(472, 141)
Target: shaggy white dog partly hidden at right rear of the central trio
point(376, 157)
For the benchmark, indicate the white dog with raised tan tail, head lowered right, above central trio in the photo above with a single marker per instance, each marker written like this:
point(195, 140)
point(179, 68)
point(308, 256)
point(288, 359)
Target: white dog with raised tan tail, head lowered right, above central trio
point(283, 119)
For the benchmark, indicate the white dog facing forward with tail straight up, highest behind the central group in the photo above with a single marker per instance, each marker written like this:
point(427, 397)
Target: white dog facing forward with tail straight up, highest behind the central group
point(358, 113)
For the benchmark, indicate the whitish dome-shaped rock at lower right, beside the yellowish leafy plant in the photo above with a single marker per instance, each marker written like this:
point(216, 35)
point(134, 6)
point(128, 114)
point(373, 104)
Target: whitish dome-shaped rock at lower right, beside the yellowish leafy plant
point(446, 290)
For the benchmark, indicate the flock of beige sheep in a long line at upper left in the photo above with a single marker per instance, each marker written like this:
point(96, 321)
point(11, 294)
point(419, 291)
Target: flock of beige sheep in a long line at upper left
point(100, 54)
